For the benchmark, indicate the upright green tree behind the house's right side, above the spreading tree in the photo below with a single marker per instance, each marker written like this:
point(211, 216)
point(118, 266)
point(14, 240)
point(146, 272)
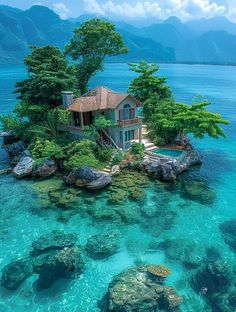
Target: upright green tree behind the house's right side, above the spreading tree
point(148, 84)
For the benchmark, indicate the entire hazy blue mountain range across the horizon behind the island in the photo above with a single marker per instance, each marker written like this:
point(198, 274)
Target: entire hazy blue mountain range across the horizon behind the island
point(207, 41)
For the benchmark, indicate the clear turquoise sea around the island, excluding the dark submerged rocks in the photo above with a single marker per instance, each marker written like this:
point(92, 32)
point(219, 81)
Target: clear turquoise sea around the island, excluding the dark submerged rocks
point(24, 215)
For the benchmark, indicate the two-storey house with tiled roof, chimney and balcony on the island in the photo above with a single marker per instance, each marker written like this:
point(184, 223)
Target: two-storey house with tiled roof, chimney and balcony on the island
point(121, 108)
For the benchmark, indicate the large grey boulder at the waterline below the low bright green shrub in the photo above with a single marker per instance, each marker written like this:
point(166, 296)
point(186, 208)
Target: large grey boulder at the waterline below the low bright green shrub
point(88, 178)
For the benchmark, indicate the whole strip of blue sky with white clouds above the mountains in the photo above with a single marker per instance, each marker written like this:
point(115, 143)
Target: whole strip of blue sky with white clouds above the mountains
point(136, 9)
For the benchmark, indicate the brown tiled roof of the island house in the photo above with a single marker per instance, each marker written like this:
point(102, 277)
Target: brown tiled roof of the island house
point(100, 98)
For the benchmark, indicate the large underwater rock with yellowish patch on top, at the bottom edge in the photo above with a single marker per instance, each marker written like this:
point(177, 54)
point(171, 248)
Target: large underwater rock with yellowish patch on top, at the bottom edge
point(137, 290)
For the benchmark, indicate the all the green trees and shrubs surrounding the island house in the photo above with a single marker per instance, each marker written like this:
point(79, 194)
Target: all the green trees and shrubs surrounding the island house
point(40, 120)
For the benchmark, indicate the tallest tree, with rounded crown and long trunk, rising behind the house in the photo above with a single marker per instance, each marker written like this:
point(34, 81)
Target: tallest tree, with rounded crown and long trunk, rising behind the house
point(92, 42)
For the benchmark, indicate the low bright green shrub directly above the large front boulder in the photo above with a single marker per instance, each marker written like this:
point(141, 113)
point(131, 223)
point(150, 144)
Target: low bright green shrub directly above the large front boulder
point(77, 161)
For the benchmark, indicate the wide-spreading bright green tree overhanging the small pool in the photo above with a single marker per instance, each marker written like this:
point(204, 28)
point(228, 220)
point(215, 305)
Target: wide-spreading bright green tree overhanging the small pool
point(170, 119)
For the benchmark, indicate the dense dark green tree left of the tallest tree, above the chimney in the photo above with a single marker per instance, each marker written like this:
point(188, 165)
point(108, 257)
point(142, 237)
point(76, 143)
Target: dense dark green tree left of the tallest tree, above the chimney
point(48, 75)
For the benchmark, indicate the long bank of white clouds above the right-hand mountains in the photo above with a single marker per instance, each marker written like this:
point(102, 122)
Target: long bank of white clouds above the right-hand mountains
point(185, 9)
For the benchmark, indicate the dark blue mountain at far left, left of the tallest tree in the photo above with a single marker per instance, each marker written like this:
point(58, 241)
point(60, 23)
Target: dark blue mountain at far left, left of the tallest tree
point(36, 26)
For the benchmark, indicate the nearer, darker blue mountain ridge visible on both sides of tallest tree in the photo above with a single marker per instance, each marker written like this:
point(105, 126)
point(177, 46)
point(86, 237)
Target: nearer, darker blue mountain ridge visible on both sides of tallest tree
point(40, 26)
